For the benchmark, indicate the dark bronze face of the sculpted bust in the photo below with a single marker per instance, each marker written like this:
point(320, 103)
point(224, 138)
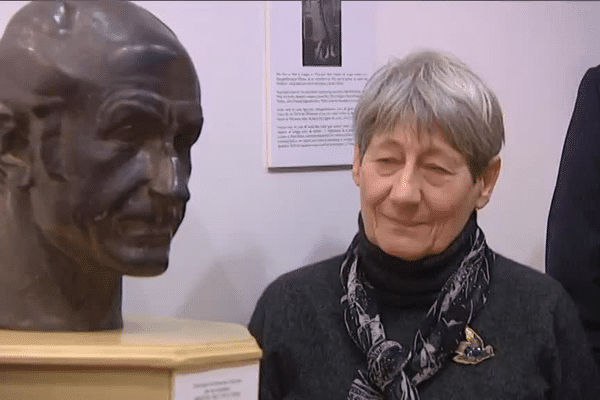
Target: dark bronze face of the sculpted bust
point(122, 154)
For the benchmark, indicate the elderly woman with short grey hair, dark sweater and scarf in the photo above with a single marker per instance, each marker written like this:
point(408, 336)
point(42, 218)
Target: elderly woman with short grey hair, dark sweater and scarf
point(419, 306)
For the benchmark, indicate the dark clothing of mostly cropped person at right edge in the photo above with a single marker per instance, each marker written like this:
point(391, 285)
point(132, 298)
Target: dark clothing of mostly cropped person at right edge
point(573, 235)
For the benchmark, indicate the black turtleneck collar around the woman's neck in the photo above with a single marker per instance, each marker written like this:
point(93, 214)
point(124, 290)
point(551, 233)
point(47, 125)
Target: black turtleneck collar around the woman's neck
point(411, 283)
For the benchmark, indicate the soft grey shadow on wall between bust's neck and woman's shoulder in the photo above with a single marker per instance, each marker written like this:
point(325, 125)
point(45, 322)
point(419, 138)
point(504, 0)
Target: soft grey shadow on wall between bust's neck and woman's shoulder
point(229, 290)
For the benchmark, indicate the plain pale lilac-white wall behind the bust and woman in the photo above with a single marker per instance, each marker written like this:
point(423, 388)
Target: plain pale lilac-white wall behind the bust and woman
point(245, 226)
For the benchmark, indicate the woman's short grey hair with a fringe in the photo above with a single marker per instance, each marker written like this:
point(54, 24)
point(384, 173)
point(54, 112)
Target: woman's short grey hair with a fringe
point(429, 90)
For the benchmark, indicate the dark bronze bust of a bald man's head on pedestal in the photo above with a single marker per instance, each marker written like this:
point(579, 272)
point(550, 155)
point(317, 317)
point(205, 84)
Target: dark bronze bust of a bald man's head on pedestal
point(99, 107)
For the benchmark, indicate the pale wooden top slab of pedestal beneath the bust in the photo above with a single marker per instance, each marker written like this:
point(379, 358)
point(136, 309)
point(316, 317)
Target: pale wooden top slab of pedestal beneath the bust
point(143, 342)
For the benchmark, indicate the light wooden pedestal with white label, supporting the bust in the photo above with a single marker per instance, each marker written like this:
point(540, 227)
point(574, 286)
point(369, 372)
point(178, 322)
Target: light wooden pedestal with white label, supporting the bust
point(150, 359)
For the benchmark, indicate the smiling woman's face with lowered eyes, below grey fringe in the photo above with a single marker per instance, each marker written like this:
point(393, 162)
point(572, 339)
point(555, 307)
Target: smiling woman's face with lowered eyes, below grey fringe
point(417, 192)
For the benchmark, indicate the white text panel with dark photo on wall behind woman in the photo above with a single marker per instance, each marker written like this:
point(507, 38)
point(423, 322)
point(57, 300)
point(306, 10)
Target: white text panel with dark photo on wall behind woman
point(319, 57)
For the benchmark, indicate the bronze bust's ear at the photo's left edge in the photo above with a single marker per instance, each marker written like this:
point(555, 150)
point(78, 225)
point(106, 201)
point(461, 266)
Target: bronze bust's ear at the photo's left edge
point(15, 165)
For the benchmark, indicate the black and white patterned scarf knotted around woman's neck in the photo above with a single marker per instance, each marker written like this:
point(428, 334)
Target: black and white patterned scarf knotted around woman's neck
point(393, 370)
